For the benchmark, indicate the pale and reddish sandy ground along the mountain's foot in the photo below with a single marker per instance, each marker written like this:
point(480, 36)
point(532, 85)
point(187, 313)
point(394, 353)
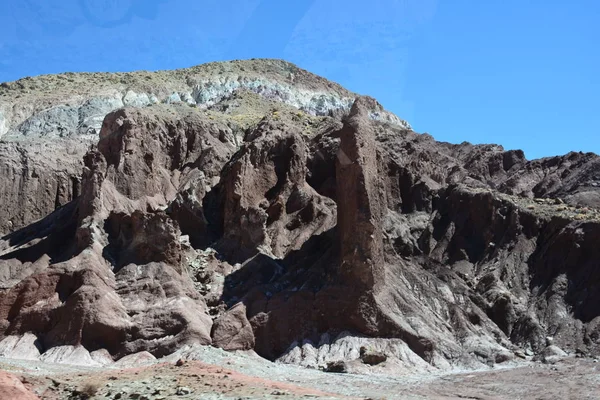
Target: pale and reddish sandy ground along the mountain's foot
point(217, 375)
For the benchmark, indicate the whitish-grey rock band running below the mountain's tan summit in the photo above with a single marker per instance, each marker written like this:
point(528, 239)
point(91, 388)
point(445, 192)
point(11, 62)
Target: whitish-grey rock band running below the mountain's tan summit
point(83, 115)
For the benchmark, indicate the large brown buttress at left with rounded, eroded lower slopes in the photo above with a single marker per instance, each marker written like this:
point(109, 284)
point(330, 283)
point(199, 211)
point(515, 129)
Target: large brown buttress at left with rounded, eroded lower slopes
point(121, 283)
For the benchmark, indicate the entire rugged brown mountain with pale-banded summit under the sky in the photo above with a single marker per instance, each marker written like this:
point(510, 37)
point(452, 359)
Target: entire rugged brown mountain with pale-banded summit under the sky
point(251, 205)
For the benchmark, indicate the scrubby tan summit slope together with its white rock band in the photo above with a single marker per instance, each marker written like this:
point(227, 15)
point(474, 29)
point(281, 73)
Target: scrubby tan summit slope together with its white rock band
point(84, 99)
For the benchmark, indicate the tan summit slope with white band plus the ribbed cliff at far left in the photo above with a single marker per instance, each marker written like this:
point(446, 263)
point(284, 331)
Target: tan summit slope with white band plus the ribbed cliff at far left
point(47, 123)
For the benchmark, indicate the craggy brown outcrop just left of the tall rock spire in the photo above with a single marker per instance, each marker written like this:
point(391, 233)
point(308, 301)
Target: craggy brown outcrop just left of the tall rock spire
point(267, 203)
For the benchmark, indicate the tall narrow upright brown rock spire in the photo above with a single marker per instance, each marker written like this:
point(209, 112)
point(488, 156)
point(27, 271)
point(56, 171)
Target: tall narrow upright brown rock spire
point(361, 200)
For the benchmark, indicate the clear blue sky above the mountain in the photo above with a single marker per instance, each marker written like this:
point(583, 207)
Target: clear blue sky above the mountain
point(521, 73)
